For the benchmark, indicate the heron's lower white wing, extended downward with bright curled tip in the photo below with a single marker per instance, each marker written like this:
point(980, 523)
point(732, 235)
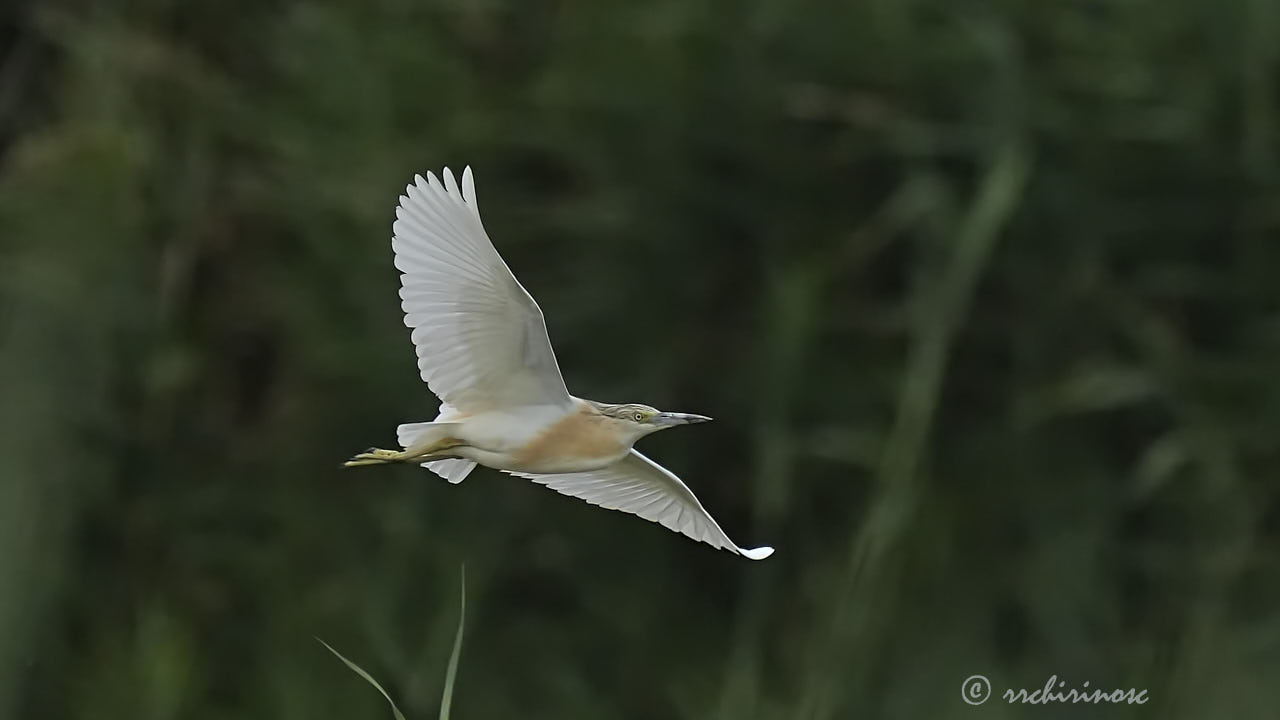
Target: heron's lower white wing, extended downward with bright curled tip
point(641, 486)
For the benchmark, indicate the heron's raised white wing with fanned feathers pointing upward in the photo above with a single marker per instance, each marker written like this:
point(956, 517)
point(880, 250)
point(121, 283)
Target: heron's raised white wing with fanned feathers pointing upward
point(482, 341)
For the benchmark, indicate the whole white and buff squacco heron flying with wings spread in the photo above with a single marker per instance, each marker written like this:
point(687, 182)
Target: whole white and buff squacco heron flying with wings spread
point(483, 349)
